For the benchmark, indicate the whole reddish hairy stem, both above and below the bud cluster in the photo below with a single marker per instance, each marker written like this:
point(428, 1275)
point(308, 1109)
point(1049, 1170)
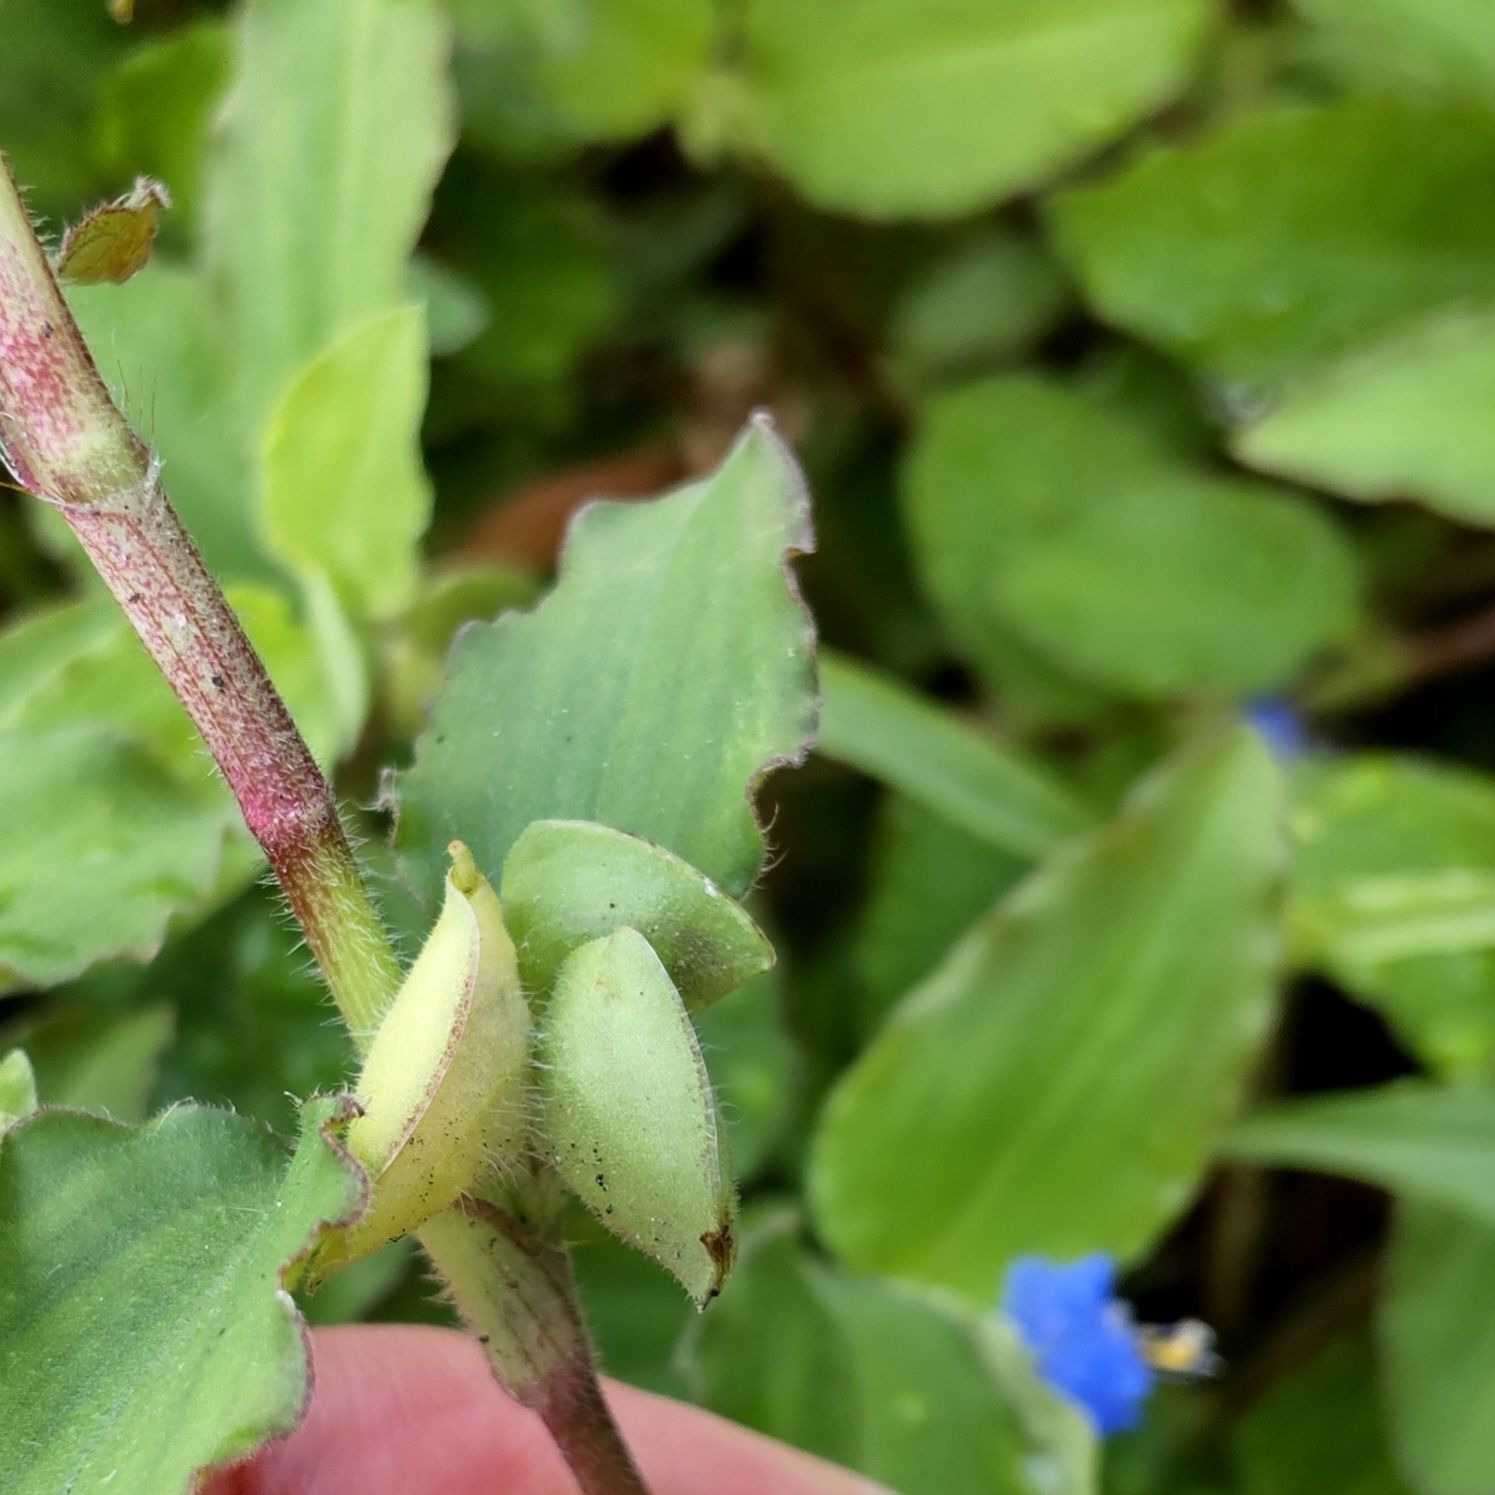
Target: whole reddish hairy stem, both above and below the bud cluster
point(68, 443)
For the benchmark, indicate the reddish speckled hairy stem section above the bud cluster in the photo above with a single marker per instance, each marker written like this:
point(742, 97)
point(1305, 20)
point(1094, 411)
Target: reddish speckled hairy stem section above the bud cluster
point(70, 445)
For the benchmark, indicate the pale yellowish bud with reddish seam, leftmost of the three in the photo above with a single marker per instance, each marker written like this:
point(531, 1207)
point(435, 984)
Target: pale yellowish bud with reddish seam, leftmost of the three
point(443, 1088)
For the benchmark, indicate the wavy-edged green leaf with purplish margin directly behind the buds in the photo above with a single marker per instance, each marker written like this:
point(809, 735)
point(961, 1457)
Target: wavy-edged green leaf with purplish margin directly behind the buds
point(666, 672)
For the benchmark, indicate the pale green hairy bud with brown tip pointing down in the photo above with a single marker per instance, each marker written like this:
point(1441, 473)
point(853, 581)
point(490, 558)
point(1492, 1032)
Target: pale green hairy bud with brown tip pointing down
point(630, 1119)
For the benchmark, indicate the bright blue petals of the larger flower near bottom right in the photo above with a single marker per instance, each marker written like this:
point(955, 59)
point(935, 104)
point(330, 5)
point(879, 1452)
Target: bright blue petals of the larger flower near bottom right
point(1082, 1337)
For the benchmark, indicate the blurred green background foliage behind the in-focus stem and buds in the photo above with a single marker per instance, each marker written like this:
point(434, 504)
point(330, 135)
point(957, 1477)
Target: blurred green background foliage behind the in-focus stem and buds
point(1141, 355)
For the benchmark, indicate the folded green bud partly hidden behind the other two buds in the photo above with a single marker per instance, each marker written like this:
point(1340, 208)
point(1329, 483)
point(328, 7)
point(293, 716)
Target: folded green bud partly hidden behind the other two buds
point(569, 883)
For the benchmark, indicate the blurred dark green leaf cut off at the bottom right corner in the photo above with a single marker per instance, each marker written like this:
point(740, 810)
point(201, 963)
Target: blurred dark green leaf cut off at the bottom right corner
point(1439, 1351)
